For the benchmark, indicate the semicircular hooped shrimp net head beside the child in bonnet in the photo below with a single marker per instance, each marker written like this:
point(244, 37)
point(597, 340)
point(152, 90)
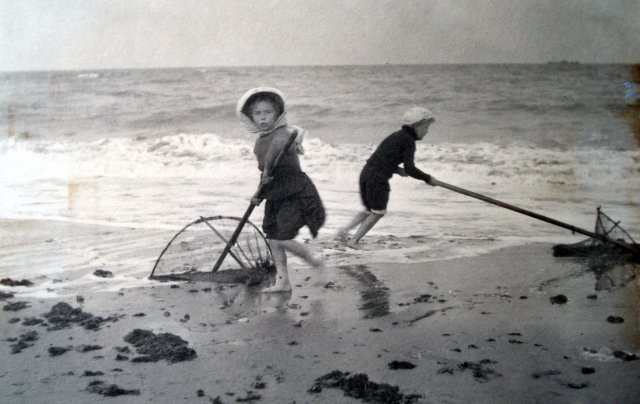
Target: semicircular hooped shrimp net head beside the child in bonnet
point(192, 253)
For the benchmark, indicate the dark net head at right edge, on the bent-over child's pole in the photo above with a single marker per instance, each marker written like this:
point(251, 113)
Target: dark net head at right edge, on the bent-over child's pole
point(616, 246)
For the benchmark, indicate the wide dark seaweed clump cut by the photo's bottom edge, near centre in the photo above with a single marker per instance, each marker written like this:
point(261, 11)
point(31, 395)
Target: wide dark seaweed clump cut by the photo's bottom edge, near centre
point(360, 387)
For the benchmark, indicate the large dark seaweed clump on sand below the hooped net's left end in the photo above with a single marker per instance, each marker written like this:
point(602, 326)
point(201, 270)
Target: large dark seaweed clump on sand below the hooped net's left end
point(157, 347)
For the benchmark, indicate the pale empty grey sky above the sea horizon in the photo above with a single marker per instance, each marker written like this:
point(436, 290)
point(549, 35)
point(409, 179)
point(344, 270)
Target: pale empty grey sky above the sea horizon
point(91, 34)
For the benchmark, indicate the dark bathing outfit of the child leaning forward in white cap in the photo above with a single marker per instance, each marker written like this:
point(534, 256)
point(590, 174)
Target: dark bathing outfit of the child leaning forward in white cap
point(397, 148)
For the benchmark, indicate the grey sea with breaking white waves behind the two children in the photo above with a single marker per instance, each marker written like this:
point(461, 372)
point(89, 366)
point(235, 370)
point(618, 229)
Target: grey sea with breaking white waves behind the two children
point(158, 148)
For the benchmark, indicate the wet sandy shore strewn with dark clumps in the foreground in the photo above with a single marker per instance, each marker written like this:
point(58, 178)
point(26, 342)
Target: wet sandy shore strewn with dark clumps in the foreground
point(489, 328)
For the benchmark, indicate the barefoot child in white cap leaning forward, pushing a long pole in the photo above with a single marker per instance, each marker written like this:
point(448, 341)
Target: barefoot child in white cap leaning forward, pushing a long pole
point(397, 148)
